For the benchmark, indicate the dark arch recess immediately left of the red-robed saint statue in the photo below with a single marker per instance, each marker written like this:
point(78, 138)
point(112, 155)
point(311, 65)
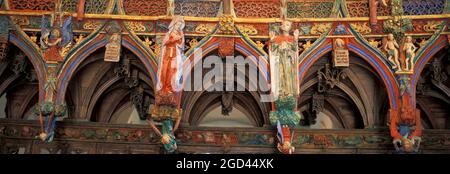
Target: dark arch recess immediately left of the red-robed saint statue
point(99, 89)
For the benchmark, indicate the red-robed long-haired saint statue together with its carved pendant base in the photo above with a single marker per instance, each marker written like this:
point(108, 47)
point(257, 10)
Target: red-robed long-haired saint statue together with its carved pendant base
point(169, 81)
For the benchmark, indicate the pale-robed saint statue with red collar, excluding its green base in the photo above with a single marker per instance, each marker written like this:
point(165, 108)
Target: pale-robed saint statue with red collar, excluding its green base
point(283, 60)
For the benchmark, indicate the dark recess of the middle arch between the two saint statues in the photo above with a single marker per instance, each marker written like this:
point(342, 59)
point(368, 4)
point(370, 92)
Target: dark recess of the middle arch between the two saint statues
point(245, 97)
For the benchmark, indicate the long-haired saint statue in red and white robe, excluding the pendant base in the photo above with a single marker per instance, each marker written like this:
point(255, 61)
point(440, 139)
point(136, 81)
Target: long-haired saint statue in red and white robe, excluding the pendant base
point(171, 58)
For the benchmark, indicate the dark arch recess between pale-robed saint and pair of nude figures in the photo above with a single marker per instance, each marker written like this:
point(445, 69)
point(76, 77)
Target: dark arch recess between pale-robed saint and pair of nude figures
point(353, 97)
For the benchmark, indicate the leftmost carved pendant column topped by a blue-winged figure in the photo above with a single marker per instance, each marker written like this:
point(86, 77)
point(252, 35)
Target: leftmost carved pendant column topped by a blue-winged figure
point(56, 41)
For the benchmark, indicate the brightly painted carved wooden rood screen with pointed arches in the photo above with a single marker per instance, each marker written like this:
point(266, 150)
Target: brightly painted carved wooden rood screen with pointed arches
point(331, 76)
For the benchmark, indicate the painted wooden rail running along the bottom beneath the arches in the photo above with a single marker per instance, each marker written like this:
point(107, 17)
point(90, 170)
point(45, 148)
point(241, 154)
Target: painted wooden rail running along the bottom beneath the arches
point(19, 136)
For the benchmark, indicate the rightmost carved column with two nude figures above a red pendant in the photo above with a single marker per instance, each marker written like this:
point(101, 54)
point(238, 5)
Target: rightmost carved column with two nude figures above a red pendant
point(400, 52)
